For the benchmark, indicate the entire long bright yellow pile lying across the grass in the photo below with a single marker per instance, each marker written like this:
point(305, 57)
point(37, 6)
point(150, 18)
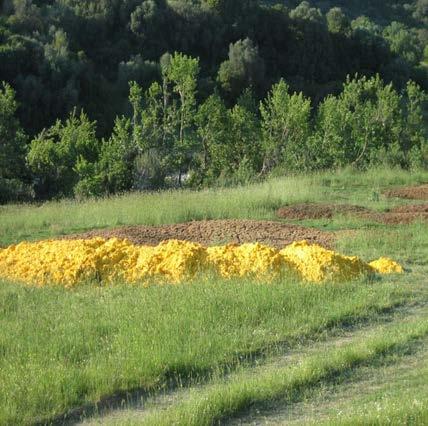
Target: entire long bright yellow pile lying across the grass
point(68, 263)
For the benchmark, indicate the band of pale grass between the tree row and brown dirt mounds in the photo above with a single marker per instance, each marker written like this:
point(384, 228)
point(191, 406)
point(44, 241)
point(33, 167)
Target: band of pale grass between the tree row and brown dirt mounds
point(257, 201)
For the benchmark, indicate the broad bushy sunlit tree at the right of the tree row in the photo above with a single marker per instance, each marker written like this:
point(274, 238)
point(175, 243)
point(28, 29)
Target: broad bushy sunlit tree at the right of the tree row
point(359, 125)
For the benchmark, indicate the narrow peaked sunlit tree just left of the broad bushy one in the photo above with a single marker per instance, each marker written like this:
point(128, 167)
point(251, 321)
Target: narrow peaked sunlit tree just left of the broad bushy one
point(285, 126)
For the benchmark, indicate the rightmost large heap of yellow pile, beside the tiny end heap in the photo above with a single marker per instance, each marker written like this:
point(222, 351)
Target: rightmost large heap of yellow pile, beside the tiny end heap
point(317, 264)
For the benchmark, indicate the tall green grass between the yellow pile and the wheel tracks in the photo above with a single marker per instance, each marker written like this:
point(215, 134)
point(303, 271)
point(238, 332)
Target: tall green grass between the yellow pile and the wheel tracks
point(62, 349)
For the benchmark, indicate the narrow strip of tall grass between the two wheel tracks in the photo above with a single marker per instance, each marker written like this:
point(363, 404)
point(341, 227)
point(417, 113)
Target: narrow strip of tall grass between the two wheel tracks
point(244, 390)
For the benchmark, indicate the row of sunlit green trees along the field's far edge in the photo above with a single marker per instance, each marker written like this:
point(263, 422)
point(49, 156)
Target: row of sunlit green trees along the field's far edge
point(172, 139)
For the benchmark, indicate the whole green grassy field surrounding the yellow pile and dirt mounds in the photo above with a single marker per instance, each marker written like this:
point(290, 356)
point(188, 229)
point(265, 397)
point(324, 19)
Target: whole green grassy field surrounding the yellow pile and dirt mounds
point(220, 351)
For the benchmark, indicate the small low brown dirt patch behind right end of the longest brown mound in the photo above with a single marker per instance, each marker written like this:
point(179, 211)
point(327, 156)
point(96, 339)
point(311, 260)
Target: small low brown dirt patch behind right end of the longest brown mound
point(319, 211)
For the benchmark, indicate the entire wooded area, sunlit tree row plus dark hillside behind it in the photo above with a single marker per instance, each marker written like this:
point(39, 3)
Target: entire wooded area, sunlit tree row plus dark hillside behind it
point(102, 96)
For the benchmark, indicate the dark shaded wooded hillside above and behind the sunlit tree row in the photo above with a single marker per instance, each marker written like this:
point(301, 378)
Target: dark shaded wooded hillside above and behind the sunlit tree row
point(62, 54)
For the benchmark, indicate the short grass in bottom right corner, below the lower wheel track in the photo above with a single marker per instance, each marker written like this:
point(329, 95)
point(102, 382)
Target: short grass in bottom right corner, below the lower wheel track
point(393, 393)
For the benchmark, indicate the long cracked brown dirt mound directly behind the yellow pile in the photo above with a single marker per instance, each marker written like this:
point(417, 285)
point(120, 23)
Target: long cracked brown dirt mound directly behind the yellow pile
point(211, 232)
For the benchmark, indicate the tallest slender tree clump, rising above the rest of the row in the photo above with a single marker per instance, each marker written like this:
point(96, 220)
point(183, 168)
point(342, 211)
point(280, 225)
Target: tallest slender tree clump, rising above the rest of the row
point(163, 118)
